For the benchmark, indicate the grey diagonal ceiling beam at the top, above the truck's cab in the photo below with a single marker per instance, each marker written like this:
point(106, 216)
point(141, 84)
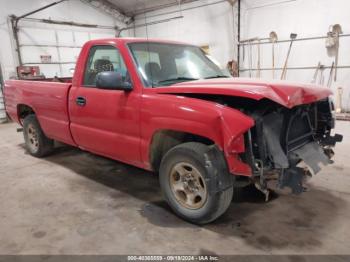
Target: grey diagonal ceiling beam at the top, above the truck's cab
point(110, 9)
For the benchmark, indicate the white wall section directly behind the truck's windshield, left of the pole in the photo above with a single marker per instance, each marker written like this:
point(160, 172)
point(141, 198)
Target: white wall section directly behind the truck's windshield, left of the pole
point(207, 25)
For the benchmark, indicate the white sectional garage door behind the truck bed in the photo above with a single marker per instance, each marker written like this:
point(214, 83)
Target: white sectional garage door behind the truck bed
point(55, 48)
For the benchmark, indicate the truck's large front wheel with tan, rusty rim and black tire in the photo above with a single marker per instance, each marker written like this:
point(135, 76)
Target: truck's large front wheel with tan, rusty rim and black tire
point(195, 182)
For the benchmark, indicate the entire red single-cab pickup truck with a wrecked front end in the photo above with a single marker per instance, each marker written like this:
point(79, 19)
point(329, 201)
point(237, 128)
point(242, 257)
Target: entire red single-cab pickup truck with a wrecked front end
point(167, 107)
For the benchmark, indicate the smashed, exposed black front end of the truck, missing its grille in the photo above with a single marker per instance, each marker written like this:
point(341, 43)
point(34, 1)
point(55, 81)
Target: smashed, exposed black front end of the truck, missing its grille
point(287, 146)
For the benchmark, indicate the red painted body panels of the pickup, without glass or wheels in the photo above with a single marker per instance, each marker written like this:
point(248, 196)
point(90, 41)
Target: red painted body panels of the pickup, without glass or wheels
point(120, 125)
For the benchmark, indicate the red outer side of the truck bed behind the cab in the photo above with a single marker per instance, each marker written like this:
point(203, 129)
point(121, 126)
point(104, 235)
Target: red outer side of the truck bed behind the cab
point(49, 100)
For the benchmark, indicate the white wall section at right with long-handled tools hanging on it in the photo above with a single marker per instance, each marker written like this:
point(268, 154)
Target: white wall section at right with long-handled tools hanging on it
point(307, 18)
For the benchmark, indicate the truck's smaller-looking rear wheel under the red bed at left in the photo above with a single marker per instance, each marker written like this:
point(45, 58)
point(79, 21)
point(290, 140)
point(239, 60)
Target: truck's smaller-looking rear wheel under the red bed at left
point(37, 144)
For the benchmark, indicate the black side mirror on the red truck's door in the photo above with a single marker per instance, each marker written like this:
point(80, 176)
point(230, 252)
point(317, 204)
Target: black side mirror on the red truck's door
point(112, 80)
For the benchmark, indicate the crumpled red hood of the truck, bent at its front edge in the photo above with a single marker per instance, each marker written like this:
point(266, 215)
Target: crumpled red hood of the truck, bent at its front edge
point(282, 92)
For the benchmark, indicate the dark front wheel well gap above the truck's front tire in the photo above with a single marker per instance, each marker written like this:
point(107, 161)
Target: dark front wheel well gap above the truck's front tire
point(164, 140)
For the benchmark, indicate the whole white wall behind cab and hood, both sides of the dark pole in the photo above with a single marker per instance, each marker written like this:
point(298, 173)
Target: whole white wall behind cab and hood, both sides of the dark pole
point(213, 25)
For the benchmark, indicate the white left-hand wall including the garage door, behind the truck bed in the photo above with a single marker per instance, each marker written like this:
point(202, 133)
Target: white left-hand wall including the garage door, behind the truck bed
point(38, 33)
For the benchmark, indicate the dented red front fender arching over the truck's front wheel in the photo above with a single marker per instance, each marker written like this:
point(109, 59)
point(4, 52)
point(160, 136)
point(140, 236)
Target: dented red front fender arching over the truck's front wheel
point(223, 125)
